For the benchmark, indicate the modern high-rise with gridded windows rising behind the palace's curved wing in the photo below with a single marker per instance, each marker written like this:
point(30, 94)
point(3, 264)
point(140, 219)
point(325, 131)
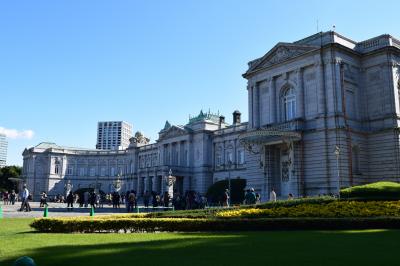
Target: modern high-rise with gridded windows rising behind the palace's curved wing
point(113, 135)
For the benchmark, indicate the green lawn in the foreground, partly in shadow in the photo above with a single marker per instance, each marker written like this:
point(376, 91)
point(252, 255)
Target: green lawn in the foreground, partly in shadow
point(373, 247)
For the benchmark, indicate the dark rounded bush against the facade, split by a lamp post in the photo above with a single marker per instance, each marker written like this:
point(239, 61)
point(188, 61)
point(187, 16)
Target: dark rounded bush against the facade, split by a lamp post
point(216, 191)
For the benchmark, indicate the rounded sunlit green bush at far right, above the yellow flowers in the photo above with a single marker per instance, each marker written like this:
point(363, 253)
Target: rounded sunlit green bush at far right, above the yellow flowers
point(373, 191)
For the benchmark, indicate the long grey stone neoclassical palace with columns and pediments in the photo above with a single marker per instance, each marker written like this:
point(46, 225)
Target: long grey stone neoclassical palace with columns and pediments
point(323, 114)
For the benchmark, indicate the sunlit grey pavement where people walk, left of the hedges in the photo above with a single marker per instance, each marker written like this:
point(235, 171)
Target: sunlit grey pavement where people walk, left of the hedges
point(60, 210)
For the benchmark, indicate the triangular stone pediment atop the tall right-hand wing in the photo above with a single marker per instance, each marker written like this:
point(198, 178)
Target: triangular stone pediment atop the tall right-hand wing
point(280, 53)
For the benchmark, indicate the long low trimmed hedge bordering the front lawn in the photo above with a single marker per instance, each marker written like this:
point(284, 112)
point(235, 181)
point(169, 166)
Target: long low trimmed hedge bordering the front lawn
point(207, 225)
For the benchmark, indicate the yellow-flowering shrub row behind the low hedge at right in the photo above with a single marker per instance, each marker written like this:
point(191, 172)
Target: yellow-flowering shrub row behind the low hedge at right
point(329, 210)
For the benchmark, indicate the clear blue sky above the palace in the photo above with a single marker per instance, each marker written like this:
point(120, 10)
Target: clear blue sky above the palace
point(67, 64)
